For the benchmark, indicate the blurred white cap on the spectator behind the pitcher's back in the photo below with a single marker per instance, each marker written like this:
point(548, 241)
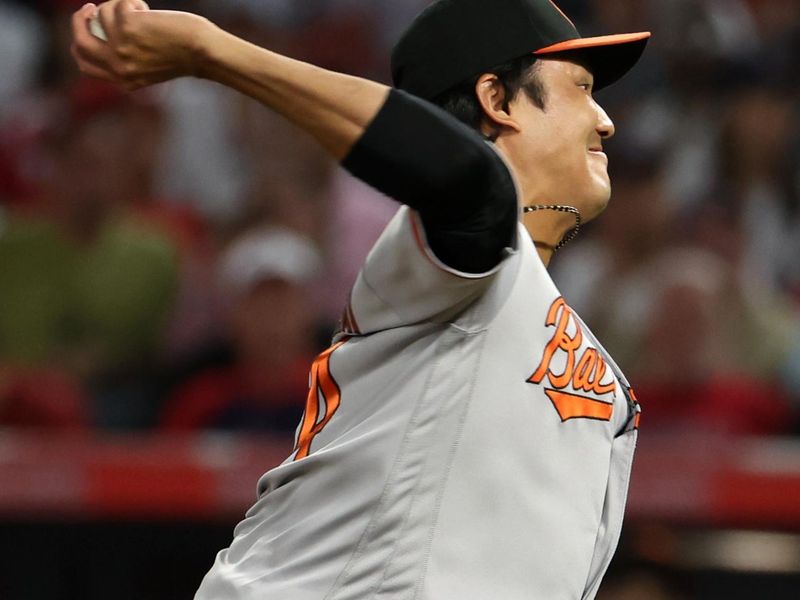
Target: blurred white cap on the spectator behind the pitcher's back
point(272, 252)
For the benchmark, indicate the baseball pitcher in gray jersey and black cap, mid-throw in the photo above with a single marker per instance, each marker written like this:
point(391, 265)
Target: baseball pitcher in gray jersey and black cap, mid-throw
point(465, 436)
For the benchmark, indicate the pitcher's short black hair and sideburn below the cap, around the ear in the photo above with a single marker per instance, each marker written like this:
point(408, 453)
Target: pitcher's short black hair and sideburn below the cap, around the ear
point(519, 74)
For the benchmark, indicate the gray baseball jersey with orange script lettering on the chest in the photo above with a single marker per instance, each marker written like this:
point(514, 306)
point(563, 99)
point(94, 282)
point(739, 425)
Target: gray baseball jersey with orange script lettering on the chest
point(465, 437)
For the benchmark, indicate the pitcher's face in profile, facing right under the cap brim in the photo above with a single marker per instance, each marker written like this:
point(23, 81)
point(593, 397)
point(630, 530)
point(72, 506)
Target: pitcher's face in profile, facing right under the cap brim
point(558, 154)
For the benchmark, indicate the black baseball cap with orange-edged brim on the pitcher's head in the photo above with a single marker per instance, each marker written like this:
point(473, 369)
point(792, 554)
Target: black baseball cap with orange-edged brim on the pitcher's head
point(452, 40)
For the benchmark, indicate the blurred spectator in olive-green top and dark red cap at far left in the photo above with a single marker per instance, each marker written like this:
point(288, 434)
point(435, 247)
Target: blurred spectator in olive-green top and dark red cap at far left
point(85, 282)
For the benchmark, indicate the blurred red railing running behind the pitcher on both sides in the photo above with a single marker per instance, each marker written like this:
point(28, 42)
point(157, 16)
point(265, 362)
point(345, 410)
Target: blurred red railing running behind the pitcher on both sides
point(708, 480)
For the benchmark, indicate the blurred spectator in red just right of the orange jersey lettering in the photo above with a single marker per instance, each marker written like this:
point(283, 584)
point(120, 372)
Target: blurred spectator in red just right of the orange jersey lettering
point(692, 364)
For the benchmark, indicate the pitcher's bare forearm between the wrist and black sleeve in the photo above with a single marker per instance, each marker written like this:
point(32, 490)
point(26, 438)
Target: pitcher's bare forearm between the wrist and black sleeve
point(333, 107)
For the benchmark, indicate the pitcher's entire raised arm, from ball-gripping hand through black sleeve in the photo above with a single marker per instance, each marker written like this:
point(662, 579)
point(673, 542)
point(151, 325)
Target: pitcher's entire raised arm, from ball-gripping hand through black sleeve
point(403, 146)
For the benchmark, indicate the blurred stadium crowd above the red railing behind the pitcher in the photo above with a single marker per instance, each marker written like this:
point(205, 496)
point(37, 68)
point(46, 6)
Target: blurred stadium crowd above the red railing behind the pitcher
point(173, 259)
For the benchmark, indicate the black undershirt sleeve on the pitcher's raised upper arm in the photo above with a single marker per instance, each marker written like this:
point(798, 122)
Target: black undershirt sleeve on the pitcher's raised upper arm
point(419, 155)
